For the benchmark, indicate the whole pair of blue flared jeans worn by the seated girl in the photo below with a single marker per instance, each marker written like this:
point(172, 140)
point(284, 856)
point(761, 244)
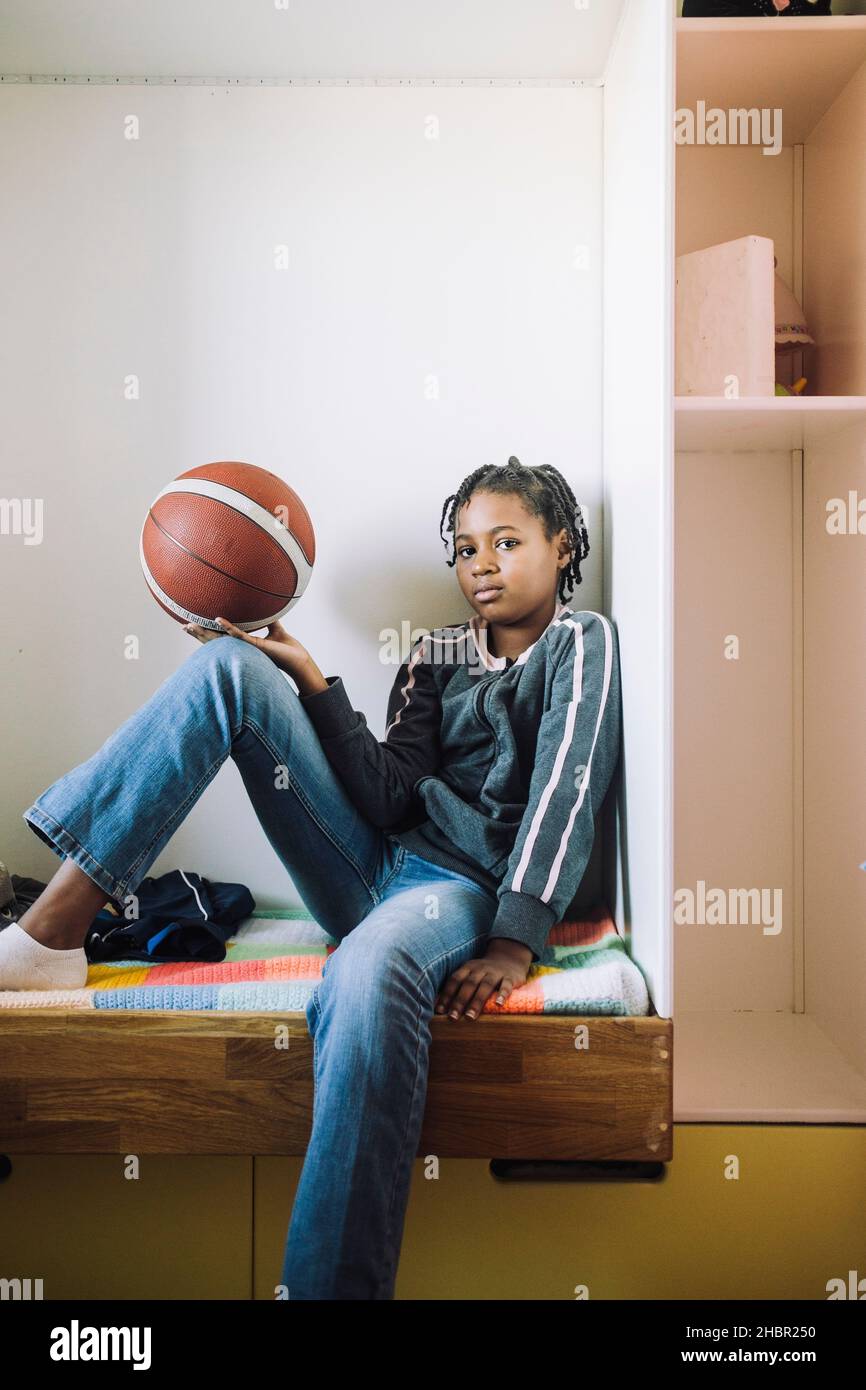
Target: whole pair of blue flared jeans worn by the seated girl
point(404, 926)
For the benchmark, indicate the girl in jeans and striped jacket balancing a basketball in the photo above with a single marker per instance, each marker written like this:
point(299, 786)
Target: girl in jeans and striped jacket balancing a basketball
point(439, 858)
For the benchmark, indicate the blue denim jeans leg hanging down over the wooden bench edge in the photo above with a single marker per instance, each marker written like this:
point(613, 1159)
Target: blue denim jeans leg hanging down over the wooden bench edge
point(372, 1035)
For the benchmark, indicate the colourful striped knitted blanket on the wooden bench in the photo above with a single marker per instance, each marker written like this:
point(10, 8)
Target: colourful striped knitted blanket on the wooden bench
point(276, 958)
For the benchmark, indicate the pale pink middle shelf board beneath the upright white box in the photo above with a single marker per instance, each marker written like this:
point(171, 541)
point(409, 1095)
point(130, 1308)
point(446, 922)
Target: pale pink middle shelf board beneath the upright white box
point(714, 425)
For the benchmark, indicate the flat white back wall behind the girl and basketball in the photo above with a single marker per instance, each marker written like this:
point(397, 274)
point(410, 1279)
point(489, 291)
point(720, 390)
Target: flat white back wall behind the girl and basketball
point(411, 261)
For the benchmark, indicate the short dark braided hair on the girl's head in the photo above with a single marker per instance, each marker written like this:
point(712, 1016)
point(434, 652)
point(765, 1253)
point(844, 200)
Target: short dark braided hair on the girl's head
point(544, 493)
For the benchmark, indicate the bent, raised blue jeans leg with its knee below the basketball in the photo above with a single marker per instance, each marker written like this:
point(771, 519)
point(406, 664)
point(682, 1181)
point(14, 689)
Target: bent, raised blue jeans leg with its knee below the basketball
point(116, 812)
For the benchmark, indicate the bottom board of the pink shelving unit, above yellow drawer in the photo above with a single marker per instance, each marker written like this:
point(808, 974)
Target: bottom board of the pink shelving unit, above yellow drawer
point(772, 1068)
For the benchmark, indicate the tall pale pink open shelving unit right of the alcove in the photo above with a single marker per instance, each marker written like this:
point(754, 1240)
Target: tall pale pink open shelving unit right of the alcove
point(771, 761)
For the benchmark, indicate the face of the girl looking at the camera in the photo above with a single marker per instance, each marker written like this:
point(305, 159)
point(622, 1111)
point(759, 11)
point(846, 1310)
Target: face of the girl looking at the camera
point(507, 566)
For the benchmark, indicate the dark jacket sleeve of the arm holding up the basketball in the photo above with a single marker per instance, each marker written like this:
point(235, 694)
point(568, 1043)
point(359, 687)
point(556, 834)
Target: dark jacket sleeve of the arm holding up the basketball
point(382, 776)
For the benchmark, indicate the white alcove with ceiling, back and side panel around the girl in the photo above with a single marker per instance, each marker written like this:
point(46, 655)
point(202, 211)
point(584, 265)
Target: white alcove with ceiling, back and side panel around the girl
point(533, 252)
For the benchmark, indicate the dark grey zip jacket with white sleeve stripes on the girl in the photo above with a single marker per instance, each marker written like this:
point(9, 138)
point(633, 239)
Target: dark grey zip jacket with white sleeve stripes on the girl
point(491, 767)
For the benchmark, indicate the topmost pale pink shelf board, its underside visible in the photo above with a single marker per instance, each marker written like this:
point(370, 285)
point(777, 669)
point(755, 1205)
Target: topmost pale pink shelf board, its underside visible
point(799, 66)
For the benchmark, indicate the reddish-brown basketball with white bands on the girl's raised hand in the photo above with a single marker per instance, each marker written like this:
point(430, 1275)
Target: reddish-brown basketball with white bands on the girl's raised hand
point(227, 540)
